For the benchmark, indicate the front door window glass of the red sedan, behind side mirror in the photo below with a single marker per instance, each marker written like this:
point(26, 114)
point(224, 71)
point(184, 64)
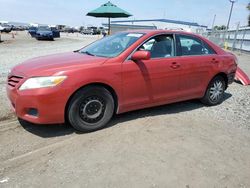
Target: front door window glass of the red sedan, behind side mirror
point(160, 46)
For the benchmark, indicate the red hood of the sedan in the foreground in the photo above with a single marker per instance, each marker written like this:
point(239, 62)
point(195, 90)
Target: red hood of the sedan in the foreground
point(52, 64)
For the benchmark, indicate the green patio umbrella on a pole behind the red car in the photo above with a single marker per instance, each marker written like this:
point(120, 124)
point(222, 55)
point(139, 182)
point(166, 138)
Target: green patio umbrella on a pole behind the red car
point(109, 10)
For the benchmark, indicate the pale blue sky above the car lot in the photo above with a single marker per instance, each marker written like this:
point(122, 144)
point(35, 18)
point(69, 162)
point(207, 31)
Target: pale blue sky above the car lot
point(72, 12)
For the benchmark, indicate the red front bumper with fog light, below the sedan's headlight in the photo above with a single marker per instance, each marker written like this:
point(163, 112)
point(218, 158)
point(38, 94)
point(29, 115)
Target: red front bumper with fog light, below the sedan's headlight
point(40, 106)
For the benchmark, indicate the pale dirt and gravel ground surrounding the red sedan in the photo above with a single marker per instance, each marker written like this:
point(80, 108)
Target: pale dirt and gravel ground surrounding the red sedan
point(178, 145)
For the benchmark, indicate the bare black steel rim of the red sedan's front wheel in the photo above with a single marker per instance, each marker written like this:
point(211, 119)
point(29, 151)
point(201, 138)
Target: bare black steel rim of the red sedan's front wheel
point(92, 109)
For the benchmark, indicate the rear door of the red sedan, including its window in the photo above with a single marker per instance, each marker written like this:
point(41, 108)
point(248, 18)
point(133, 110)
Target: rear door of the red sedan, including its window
point(197, 61)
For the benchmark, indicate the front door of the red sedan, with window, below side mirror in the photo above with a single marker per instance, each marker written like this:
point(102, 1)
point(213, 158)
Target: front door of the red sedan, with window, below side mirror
point(153, 81)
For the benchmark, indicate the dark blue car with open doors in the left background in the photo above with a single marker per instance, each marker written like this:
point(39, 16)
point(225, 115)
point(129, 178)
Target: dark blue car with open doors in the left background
point(45, 32)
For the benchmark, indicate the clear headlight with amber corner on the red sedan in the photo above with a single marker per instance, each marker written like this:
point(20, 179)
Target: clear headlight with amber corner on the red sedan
point(41, 82)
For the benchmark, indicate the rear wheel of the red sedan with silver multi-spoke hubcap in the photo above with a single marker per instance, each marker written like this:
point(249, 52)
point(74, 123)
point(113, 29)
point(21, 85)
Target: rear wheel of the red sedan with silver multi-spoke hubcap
point(215, 91)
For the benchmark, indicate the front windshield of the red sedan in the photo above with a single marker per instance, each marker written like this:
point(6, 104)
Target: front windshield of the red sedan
point(111, 46)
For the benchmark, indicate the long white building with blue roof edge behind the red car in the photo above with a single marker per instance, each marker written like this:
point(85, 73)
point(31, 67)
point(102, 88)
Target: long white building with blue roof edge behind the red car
point(156, 24)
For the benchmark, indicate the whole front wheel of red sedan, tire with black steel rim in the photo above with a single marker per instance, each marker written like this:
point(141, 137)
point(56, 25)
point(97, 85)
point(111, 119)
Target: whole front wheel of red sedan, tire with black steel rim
point(90, 109)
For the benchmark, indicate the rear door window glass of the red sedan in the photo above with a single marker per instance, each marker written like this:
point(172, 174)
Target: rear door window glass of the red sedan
point(193, 46)
